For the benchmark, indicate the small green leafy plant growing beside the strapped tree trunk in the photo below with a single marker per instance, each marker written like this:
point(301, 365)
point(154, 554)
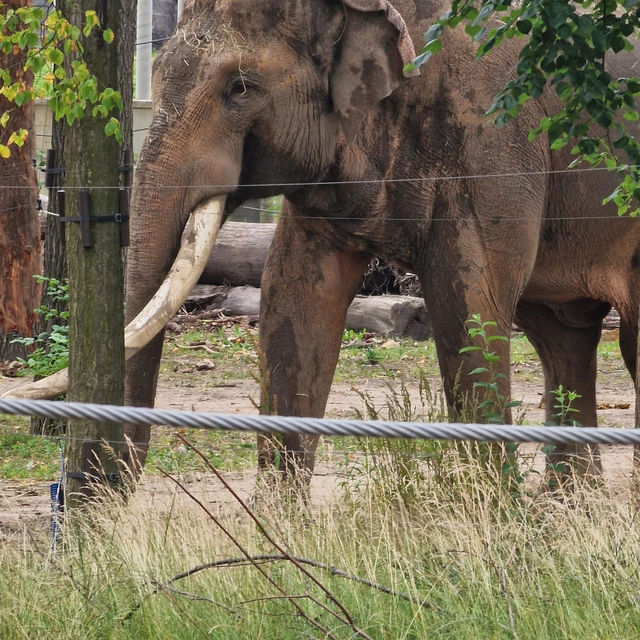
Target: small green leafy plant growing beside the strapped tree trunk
point(51, 351)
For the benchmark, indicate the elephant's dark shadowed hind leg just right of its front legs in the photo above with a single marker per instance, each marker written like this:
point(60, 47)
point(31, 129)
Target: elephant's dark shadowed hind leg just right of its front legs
point(567, 349)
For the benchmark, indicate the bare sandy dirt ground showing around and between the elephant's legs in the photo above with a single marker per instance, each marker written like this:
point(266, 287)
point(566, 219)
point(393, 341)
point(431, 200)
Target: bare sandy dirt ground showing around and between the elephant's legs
point(24, 505)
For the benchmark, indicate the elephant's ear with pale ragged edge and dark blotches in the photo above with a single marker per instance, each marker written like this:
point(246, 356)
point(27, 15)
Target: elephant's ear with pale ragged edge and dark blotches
point(375, 47)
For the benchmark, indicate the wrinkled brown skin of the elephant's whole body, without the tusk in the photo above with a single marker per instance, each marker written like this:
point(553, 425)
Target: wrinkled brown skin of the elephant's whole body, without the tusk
point(291, 91)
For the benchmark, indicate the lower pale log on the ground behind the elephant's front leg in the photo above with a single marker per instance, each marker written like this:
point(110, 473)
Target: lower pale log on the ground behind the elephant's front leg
point(389, 315)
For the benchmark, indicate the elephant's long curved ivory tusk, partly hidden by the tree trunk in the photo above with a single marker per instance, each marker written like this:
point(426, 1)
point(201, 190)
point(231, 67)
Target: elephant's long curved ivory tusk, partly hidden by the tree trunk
point(198, 238)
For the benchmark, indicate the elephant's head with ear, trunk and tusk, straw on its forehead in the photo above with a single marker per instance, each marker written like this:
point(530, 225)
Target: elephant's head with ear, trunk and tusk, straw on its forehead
point(249, 95)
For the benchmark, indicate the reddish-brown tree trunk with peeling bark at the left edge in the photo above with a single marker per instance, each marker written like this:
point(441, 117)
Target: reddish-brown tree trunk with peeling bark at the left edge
point(19, 224)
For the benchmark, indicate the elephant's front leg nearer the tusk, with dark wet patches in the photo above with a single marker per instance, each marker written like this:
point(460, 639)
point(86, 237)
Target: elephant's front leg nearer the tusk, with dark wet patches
point(307, 286)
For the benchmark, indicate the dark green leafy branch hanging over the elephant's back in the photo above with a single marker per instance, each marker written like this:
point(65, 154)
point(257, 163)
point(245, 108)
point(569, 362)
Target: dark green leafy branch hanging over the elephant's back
point(566, 47)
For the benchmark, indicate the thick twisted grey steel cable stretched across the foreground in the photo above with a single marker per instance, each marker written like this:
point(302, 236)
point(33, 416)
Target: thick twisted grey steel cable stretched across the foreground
point(320, 426)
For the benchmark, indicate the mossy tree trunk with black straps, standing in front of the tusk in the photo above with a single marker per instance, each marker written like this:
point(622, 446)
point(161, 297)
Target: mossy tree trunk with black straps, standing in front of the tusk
point(96, 298)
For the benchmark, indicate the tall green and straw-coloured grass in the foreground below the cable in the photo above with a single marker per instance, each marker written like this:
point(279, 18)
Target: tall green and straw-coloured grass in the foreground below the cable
point(457, 564)
